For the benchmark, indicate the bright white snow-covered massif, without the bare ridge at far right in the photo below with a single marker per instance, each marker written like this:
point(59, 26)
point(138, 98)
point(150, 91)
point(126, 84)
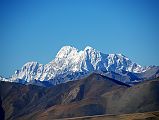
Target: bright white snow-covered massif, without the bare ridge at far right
point(70, 63)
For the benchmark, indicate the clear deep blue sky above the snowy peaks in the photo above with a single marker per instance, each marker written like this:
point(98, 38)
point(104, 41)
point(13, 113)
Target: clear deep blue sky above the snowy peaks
point(34, 30)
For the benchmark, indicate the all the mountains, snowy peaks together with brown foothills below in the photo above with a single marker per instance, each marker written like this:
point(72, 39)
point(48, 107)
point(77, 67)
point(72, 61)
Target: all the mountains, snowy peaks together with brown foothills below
point(79, 84)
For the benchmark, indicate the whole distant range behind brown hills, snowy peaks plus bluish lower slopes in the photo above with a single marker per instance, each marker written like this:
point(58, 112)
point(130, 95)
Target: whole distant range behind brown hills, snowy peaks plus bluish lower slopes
point(71, 64)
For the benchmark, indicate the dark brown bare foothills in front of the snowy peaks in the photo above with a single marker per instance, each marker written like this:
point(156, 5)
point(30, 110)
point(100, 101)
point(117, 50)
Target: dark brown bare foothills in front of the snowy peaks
point(93, 95)
